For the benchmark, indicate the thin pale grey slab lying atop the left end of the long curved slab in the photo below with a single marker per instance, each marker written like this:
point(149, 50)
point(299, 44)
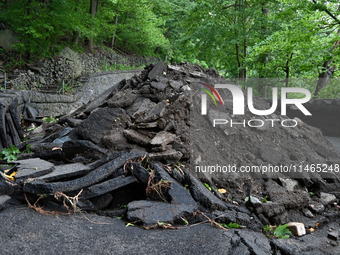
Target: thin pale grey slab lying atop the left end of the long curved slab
point(66, 172)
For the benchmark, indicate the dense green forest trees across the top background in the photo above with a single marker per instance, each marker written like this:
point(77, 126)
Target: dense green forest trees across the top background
point(242, 39)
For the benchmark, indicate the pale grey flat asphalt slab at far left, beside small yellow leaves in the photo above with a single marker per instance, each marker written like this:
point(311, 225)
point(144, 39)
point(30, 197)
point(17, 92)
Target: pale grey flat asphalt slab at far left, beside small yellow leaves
point(31, 168)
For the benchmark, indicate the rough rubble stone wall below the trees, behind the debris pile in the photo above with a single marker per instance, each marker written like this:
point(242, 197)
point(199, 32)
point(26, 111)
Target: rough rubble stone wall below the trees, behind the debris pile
point(68, 67)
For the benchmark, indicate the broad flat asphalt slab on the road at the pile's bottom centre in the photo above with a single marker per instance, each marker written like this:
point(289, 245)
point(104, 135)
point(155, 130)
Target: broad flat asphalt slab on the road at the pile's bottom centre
point(152, 212)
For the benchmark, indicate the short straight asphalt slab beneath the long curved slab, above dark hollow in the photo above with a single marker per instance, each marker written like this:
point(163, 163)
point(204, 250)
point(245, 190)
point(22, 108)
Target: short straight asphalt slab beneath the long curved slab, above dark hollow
point(107, 186)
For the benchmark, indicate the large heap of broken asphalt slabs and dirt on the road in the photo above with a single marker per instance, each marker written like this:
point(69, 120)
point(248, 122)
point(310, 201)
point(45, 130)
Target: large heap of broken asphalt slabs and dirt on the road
point(128, 153)
